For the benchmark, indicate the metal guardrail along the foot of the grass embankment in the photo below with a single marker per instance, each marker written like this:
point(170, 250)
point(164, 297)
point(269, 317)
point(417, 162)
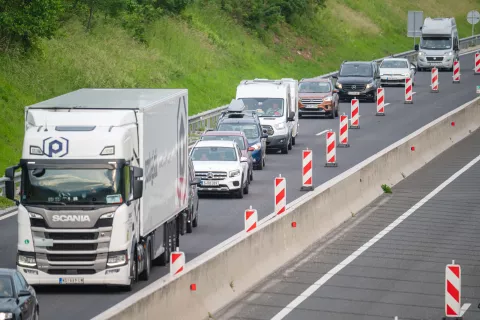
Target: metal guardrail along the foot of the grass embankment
point(208, 119)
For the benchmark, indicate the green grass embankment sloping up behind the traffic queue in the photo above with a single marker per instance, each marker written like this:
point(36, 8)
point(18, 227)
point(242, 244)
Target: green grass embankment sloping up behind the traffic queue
point(205, 51)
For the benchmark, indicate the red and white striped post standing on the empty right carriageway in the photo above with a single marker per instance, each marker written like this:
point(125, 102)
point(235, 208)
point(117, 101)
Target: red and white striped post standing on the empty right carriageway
point(453, 290)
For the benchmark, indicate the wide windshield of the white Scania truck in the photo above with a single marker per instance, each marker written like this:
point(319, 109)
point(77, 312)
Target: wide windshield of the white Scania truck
point(72, 186)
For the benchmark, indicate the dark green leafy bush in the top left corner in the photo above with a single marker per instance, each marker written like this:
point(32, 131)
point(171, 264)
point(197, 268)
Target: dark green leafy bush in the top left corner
point(24, 21)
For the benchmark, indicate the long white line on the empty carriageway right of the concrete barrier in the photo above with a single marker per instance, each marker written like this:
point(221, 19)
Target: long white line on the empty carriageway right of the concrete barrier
point(320, 282)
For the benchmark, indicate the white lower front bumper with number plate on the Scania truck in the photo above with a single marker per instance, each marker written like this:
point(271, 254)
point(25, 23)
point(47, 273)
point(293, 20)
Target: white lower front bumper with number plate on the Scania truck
point(111, 276)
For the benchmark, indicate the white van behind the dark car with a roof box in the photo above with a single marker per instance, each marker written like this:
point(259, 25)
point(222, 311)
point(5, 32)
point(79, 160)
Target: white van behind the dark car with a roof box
point(271, 99)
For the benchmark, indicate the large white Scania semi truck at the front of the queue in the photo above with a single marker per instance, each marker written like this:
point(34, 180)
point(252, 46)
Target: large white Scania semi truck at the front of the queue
point(104, 185)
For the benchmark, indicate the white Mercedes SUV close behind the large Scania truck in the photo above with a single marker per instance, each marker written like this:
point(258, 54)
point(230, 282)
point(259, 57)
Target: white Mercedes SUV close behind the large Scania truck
point(221, 167)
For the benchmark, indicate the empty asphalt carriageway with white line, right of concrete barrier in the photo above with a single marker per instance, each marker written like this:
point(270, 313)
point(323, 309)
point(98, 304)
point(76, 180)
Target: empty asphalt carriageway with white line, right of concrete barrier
point(403, 273)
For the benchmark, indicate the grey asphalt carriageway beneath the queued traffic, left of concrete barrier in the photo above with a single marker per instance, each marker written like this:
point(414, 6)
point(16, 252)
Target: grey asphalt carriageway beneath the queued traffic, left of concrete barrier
point(222, 217)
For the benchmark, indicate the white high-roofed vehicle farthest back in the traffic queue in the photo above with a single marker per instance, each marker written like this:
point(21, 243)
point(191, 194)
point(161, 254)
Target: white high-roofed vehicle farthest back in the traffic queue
point(439, 44)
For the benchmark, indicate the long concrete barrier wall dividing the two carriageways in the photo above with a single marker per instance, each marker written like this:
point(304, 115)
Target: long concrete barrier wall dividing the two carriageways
point(229, 270)
